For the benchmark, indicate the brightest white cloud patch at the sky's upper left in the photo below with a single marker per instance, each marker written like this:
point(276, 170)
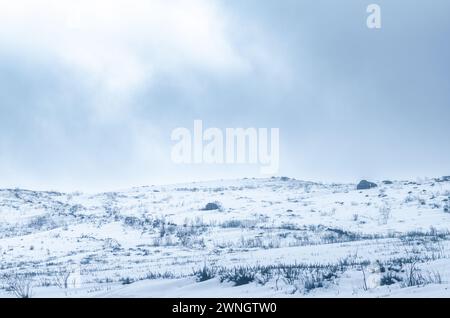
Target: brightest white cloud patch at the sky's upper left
point(118, 47)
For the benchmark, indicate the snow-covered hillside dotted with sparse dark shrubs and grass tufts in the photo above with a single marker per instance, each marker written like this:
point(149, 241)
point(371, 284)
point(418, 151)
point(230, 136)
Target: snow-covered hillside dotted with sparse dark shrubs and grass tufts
point(270, 237)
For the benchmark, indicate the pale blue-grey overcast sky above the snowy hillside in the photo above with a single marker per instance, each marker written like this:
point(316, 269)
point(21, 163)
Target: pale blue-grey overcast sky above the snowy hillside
point(90, 91)
